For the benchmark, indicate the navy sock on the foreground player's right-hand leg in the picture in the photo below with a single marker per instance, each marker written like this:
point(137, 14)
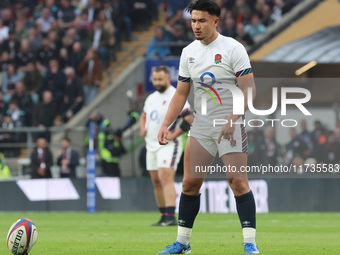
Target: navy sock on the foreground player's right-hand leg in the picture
point(246, 210)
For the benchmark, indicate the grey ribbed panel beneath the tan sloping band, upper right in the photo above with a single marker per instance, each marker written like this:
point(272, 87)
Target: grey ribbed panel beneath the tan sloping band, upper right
point(323, 47)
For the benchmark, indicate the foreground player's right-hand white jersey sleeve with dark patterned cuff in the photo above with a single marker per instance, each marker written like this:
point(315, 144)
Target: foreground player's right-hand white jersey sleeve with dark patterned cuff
point(240, 61)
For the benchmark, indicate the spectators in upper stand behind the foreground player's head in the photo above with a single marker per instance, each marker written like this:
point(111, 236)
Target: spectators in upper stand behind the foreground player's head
point(242, 20)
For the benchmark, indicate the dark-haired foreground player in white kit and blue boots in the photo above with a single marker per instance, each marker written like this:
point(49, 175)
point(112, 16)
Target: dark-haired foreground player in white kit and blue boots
point(215, 65)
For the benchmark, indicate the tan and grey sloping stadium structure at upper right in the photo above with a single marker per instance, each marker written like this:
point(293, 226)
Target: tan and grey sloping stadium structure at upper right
point(315, 36)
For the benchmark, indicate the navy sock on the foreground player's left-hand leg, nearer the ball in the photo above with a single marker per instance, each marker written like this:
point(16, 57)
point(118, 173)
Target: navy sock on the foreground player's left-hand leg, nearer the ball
point(188, 210)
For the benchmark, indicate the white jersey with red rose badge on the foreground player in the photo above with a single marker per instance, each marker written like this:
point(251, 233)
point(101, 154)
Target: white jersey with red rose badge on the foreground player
point(212, 68)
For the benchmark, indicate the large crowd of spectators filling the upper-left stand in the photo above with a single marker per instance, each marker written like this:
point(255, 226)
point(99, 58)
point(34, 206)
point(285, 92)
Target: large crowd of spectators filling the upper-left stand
point(53, 54)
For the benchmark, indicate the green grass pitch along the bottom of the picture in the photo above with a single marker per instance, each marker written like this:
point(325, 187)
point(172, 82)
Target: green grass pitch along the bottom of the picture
point(130, 233)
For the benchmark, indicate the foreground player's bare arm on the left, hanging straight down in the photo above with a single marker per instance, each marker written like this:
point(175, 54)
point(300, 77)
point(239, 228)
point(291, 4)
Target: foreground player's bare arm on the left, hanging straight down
point(175, 107)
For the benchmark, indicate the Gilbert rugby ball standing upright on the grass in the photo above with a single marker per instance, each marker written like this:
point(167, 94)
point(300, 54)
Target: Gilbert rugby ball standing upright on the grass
point(21, 237)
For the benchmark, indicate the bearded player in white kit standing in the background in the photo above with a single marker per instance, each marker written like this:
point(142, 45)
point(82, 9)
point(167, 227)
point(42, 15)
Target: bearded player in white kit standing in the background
point(162, 161)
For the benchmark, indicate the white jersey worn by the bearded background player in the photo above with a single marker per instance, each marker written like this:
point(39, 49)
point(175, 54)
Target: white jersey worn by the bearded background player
point(155, 108)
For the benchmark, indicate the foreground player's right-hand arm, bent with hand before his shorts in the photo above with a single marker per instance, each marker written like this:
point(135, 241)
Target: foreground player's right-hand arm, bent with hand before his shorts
point(244, 82)
